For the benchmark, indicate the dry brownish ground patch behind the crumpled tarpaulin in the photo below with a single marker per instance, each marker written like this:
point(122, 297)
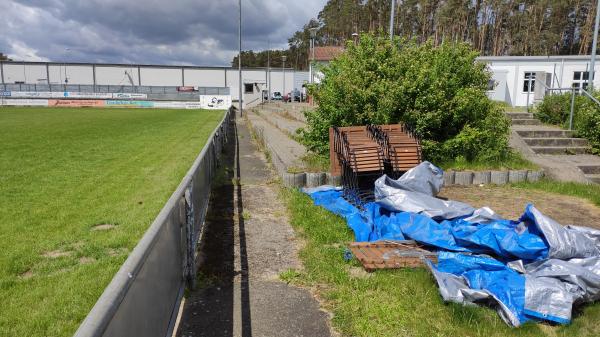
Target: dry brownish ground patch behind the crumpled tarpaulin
point(510, 203)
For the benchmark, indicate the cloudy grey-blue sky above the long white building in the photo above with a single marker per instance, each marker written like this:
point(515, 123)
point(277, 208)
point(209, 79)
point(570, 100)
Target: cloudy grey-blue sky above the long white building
point(195, 32)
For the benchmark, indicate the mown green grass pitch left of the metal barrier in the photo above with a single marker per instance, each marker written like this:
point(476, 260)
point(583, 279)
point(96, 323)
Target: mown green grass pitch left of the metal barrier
point(63, 172)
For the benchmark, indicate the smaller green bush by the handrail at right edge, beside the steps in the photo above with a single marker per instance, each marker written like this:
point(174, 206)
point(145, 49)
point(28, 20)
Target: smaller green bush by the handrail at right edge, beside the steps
point(555, 109)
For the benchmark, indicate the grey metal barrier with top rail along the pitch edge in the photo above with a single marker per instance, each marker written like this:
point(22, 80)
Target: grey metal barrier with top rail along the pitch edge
point(143, 297)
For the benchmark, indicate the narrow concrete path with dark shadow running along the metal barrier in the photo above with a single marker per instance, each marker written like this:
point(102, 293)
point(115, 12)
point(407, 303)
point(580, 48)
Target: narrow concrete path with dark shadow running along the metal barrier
point(246, 243)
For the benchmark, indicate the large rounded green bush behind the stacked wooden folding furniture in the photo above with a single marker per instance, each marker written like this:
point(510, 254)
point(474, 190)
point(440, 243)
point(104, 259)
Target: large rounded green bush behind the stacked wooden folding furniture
point(440, 92)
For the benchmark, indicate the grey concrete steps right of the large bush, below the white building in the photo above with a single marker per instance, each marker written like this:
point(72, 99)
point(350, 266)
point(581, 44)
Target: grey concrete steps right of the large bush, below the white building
point(553, 141)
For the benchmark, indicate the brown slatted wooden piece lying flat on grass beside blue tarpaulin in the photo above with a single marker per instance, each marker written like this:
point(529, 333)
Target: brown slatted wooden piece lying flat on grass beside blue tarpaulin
point(391, 254)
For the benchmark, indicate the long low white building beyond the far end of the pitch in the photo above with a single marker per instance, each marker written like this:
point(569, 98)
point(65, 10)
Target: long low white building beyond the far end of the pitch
point(255, 80)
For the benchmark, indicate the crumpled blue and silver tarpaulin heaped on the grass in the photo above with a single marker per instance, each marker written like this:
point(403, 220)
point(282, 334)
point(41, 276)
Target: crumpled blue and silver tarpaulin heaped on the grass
point(533, 268)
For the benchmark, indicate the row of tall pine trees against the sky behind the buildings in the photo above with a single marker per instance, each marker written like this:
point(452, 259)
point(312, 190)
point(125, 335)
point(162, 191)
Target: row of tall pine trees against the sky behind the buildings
point(492, 27)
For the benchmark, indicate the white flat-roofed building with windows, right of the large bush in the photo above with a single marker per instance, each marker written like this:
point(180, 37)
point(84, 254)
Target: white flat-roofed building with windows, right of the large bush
point(511, 76)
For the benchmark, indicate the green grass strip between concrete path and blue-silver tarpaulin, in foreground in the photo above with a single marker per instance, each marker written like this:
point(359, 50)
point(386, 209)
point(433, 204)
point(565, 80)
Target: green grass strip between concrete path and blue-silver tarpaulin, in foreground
point(403, 302)
